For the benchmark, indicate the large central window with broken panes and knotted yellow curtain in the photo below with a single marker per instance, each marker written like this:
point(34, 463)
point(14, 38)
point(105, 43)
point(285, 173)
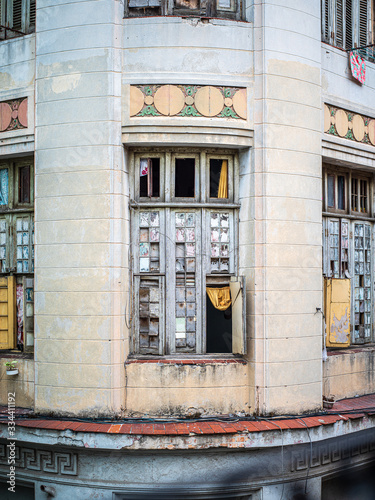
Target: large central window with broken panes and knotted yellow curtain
point(184, 230)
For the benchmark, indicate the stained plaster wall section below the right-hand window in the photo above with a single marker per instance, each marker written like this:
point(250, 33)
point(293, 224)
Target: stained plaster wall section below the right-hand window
point(349, 373)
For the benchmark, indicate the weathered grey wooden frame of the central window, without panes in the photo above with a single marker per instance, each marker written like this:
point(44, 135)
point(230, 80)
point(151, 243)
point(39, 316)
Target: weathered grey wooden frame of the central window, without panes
point(202, 206)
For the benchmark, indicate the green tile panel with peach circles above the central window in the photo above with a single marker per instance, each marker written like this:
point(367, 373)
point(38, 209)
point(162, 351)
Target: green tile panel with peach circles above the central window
point(188, 100)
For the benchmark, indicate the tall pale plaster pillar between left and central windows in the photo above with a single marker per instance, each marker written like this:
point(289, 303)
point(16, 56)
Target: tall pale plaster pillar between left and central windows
point(81, 215)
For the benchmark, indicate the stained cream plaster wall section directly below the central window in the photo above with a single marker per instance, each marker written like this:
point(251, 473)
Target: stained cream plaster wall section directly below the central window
point(180, 389)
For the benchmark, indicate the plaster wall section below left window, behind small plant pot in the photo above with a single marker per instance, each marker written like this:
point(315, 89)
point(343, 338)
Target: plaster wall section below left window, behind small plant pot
point(22, 385)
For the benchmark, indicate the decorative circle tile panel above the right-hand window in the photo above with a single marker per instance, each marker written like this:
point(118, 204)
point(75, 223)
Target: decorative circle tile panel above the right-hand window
point(349, 125)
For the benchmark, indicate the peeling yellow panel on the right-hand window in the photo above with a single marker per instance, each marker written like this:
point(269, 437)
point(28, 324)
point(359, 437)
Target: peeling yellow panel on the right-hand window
point(337, 312)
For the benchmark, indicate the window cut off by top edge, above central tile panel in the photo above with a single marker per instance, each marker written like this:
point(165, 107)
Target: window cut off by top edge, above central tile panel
point(229, 9)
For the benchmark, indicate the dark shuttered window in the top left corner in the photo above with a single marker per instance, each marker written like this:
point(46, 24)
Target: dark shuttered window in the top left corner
point(17, 18)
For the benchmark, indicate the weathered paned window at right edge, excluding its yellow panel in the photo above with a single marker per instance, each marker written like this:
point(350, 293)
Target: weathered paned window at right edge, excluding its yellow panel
point(348, 240)
